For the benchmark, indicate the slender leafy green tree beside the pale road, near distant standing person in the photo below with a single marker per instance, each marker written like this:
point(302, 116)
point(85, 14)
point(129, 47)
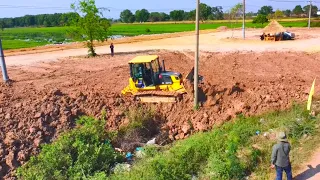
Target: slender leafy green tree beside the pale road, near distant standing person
point(91, 26)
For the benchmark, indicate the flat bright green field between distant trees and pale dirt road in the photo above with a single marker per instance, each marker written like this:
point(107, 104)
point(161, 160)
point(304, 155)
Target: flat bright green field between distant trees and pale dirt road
point(15, 38)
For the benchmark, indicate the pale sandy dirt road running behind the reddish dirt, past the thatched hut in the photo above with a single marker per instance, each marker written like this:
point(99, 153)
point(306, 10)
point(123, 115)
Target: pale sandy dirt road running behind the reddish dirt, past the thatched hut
point(307, 40)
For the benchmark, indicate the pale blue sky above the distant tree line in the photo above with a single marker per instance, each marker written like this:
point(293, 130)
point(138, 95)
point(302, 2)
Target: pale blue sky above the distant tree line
point(16, 8)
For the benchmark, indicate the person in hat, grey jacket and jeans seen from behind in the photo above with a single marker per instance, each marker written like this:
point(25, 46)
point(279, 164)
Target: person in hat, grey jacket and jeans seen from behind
point(280, 157)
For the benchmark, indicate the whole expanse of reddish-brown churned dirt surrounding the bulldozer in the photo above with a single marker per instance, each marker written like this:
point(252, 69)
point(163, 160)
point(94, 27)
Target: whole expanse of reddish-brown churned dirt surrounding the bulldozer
point(44, 100)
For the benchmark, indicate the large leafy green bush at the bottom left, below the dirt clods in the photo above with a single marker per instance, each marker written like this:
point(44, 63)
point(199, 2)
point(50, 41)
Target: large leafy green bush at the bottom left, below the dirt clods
point(77, 154)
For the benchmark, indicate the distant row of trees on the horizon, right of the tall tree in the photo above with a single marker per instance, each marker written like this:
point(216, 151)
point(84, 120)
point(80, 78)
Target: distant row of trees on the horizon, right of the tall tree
point(213, 13)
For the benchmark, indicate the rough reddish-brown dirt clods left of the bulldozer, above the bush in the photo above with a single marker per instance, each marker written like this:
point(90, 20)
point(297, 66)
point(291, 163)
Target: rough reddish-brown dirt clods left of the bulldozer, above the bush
point(30, 122)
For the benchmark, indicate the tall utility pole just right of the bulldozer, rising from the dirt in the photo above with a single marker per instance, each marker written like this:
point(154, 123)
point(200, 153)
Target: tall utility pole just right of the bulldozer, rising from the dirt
point(196, 59)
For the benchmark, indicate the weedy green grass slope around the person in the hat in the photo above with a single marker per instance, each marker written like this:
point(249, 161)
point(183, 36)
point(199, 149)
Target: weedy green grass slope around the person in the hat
point(232, 151)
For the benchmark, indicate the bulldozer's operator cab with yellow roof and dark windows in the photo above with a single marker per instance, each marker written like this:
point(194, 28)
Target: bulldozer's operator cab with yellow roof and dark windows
point(145, 70)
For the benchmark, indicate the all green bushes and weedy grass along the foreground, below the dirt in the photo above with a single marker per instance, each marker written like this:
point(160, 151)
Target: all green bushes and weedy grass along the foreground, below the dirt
point(234, 150)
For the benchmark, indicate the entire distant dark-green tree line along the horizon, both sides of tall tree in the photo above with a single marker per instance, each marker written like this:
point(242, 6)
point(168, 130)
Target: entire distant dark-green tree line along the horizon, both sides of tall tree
point(143, 15)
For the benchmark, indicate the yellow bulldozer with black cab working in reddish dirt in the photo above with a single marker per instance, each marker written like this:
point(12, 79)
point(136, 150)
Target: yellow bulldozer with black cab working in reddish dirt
point(151, 82)
